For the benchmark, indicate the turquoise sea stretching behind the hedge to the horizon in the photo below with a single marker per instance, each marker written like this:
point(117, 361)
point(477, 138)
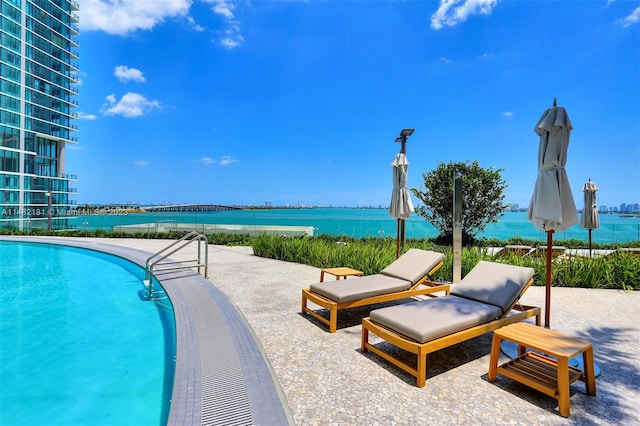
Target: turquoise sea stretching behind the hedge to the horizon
point(361, 223)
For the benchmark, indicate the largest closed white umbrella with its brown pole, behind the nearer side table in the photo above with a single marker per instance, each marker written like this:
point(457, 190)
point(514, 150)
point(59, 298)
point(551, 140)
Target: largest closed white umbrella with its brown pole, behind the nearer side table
point(552, 207)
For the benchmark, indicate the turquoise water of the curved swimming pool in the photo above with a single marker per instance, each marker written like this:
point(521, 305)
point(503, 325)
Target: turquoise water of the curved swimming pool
point(78, 344)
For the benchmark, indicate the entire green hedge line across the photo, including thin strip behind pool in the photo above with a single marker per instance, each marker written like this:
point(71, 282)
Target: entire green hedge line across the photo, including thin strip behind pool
point(371, 255)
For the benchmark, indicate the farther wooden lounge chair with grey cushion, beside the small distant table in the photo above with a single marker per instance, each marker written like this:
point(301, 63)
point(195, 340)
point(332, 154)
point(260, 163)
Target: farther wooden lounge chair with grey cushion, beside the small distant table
point(408, 276)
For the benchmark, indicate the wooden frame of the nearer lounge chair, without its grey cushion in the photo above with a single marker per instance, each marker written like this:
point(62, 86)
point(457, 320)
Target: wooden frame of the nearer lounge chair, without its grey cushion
point(423, 349)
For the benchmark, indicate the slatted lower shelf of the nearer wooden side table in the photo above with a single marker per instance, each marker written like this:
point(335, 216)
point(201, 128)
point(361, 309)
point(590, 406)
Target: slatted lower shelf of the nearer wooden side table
point(538, 372)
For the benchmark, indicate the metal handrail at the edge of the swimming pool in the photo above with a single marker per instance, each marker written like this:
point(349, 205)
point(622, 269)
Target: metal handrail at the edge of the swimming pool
point(158, 262)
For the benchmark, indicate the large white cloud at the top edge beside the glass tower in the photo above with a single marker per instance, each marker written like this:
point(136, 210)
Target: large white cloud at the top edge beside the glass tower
point(122, 17)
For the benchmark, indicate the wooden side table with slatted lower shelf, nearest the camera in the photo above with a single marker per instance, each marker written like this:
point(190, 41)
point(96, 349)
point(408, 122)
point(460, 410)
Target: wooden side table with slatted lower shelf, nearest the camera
point(550, 376)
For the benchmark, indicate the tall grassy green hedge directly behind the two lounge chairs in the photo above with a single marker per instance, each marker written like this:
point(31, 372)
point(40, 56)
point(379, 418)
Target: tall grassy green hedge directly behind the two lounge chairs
point(372, 255)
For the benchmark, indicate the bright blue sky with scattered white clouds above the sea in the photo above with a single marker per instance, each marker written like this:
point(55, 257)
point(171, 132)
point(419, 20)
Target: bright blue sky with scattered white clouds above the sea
point(240, 102)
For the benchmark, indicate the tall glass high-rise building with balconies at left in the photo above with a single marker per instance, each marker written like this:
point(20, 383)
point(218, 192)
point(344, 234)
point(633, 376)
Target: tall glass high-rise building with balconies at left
point(37, 98)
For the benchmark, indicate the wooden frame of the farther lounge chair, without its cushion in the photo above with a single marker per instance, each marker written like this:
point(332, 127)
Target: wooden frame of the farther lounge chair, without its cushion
point(428, 288)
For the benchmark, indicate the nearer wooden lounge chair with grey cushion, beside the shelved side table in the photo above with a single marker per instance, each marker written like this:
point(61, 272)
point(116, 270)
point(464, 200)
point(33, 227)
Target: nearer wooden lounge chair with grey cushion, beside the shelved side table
point(483, 301)
